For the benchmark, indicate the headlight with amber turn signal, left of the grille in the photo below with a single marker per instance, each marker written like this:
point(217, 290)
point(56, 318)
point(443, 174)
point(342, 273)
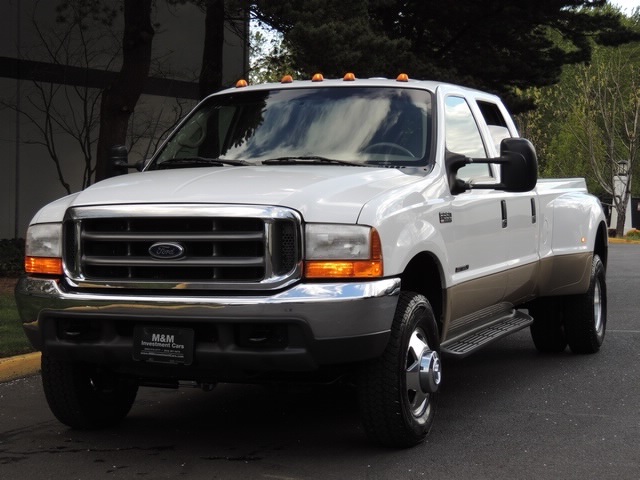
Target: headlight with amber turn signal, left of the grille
point(43, 249)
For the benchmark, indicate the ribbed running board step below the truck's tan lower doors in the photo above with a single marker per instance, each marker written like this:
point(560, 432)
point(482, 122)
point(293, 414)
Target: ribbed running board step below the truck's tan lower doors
point(469, 343)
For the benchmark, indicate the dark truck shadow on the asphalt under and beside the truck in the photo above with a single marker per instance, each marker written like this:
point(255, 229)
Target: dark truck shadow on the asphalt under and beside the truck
point(249, 422)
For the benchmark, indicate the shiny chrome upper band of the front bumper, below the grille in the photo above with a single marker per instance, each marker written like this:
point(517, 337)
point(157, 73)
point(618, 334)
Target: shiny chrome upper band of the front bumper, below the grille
point(332, 310)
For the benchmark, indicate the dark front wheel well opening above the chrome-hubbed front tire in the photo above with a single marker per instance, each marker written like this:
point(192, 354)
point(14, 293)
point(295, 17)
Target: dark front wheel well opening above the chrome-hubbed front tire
point(423, 275)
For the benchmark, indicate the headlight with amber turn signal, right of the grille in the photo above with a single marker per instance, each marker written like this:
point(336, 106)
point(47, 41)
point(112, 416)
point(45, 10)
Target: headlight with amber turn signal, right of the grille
point(342, 251)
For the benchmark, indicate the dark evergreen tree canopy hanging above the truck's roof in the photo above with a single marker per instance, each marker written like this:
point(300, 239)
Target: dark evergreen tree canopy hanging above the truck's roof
point(496, 45)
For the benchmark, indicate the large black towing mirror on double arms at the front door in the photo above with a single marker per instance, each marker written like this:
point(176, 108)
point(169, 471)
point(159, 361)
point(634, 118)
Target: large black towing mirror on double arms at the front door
point(518, 168)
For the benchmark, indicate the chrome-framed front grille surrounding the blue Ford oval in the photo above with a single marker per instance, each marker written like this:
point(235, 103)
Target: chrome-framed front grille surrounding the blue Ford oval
point(219, 247)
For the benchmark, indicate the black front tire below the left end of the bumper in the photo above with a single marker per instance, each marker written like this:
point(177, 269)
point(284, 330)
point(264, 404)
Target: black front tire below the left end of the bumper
point(83, 396)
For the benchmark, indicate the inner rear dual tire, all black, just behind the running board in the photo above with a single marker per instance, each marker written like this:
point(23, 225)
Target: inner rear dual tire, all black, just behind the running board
point(547, 330)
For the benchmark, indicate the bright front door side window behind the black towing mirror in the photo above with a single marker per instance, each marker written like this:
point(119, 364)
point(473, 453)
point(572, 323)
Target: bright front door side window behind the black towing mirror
point(463, 137)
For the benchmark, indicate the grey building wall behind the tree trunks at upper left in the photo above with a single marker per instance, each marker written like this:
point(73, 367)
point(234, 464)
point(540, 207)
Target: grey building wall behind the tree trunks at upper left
point(29, 177)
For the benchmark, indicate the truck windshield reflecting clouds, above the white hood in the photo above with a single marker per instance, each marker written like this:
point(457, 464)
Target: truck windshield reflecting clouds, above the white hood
point(350, 125)
